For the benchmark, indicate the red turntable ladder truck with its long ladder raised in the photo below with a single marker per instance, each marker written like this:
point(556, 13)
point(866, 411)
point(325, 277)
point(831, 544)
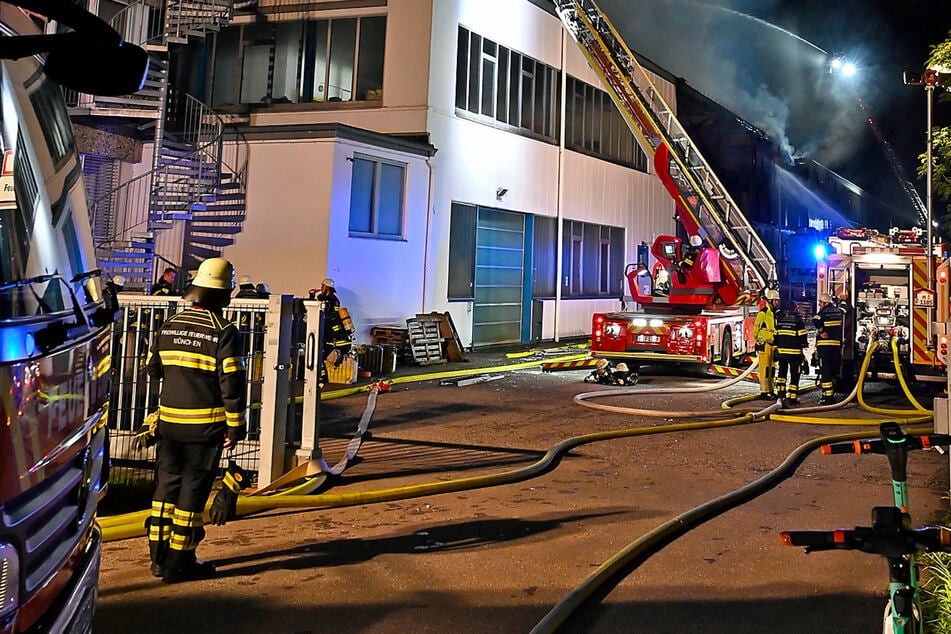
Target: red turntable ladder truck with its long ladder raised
point(701, 313)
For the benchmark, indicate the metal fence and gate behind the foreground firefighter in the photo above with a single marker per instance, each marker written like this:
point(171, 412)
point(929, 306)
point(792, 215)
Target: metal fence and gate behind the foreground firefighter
point(282, 358)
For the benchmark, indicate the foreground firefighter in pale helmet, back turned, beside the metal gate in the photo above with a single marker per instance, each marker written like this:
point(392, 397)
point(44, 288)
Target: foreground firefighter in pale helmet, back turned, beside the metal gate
point(198, 355)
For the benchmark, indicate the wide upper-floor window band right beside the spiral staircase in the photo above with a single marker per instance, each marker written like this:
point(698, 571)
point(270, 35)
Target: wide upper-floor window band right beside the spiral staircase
point(302, 61)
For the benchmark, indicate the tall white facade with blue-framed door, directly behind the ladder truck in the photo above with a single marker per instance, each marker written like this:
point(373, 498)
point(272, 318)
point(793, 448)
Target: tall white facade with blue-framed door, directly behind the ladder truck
point(474, 159)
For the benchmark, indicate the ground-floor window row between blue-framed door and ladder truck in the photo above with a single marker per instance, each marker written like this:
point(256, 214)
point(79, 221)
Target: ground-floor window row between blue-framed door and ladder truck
point(593, 264)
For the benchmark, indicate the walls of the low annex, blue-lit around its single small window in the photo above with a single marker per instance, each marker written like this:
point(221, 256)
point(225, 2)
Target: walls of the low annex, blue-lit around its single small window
point(297, 230)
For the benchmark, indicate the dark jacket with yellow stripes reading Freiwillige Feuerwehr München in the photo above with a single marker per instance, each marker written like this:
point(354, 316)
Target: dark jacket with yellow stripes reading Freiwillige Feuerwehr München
point(198, 355)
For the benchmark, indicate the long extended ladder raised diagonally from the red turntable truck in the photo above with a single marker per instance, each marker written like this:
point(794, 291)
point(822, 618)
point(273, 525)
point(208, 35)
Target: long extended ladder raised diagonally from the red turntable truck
point(704, 206)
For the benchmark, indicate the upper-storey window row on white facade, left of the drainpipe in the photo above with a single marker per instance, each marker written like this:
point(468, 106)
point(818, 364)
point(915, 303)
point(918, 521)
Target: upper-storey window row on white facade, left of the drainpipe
point(495, 83)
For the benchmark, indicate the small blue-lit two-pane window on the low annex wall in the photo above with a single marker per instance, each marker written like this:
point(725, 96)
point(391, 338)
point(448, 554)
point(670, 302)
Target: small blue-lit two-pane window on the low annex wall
point(376, 198)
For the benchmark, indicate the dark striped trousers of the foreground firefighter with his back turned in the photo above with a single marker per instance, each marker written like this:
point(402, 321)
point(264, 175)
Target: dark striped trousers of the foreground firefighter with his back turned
point(186, 474)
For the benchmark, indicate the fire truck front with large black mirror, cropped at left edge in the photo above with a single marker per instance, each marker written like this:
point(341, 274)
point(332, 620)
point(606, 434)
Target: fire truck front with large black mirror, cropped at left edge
point(54, 324)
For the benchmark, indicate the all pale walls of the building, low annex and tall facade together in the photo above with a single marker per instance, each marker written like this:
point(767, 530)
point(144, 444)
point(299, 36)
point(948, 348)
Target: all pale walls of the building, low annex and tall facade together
point(296, 230)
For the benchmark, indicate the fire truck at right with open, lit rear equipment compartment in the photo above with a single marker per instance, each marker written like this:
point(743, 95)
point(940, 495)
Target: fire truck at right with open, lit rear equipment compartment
point(882, 283)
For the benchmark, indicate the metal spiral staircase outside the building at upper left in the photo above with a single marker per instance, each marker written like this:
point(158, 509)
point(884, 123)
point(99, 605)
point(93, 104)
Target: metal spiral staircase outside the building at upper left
point(191, 203)
